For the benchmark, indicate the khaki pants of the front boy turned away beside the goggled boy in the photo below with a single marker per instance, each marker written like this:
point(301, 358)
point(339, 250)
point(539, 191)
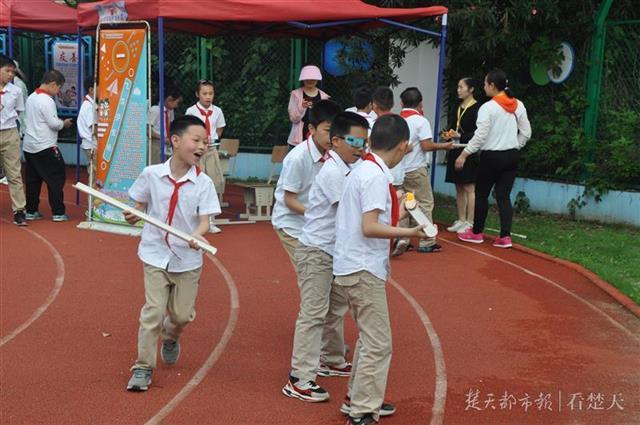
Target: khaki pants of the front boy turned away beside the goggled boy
point(367, 297)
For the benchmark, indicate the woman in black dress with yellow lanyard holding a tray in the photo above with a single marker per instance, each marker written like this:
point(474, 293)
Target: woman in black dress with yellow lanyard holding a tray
point(464, 179)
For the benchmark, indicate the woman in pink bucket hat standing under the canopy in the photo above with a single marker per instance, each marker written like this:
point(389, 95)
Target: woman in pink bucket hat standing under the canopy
point(301, 100)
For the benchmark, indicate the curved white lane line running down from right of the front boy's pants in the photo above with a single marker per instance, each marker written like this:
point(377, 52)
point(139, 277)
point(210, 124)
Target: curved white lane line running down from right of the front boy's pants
point(440, 392)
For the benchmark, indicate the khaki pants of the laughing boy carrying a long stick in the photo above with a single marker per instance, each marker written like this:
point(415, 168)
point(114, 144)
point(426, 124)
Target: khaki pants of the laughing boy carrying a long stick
point(165, 292)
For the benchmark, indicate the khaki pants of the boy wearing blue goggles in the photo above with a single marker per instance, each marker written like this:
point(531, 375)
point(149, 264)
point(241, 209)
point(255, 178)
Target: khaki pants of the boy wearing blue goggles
point(319, 333)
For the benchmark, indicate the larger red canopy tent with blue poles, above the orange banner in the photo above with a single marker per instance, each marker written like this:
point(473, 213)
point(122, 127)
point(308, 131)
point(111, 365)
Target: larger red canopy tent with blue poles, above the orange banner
point(276, 18)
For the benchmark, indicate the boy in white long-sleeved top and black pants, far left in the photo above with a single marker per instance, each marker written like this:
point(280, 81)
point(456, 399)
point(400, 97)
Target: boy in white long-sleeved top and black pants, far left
point(44, 162)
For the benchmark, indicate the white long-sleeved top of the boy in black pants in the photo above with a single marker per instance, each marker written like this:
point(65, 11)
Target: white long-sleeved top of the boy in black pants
point(42, 123)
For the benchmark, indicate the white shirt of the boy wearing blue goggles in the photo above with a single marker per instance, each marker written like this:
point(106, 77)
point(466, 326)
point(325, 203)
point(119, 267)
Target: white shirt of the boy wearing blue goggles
point(319, 228)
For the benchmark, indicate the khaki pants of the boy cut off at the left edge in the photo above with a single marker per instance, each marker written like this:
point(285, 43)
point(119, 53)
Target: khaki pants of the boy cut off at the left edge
point(10, 162)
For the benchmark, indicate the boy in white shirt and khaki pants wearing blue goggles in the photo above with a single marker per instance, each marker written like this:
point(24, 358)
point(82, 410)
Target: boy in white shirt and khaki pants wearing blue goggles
point(319, 329)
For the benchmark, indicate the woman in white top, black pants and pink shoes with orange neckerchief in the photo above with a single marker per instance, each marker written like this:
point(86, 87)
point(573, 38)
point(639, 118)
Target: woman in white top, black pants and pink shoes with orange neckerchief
point(502, 130)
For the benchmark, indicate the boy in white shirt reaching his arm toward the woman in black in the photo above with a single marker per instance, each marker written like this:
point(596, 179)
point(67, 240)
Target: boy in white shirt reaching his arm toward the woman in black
point(416, 178)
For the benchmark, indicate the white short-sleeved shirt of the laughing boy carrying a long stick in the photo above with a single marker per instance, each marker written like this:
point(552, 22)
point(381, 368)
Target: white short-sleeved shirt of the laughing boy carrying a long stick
point(195, 198)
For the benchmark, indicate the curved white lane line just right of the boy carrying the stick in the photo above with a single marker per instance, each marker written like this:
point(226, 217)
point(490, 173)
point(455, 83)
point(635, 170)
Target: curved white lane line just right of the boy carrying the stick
point(215, 354)
